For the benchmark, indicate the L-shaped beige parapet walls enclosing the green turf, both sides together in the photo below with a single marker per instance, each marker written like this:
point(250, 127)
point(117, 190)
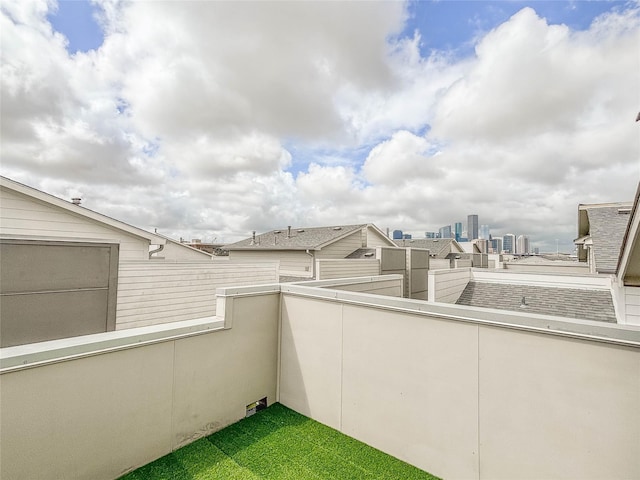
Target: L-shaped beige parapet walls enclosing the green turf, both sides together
point(458, 391)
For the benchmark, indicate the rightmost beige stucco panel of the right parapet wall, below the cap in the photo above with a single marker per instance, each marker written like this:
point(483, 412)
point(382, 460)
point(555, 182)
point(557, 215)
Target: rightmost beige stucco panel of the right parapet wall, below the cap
point(553, 407)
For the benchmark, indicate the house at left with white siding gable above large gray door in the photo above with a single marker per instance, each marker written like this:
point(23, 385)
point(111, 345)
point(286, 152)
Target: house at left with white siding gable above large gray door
point(60, 265)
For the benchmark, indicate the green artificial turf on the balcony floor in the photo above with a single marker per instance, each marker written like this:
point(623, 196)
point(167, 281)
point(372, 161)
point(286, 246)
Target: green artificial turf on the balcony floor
point(277, 444)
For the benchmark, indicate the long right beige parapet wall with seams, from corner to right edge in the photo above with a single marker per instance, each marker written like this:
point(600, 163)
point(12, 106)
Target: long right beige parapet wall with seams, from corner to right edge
point(454, 391)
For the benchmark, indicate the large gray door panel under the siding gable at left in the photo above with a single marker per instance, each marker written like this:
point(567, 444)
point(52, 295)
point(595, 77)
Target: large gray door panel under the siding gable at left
point(51, 290)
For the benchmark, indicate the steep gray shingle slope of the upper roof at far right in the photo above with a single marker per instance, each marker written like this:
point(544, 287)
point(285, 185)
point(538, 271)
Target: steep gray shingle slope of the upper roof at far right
point(607, 227)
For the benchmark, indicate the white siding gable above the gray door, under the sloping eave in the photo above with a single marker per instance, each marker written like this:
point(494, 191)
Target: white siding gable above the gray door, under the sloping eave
point(22, 216)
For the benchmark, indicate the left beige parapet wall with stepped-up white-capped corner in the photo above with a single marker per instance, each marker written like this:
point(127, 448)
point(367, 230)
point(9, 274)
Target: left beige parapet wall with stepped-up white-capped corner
point(98, 406)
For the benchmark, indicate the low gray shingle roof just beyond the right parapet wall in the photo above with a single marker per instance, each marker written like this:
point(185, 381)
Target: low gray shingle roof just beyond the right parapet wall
point(564, 302)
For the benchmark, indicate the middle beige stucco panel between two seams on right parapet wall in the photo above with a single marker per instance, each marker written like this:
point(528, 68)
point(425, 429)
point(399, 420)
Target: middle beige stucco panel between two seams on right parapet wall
point(406, 388)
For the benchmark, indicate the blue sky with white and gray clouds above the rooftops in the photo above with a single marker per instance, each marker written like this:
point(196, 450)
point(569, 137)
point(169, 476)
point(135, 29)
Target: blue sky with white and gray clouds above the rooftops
point(211, 119)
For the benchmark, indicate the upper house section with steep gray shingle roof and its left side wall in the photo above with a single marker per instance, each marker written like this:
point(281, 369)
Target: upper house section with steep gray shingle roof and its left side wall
point(601, 228)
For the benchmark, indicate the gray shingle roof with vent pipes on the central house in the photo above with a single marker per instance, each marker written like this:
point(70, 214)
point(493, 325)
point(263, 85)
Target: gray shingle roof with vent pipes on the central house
point(301, 238)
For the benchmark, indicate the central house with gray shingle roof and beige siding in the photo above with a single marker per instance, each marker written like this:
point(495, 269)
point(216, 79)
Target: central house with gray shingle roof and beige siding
point(297, 249)
